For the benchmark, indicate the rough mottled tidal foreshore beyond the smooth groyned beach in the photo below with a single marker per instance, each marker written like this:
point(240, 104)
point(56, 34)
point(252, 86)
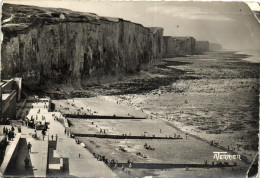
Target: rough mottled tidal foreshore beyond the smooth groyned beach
point(221, 104)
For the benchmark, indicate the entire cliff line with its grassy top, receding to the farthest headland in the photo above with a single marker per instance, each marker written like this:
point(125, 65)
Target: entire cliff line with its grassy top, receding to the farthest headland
point(49, 45)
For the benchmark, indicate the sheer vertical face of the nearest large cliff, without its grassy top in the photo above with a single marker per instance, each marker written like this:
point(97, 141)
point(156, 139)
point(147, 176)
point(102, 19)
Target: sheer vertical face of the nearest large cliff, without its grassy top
point(79, 52)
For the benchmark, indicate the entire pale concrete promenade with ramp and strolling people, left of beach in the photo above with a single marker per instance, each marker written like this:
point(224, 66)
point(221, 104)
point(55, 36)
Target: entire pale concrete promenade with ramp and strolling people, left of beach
point(65, 149)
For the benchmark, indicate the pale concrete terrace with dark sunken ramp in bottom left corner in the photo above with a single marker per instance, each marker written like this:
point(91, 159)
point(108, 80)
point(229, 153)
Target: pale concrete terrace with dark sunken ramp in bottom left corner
point(37, 157)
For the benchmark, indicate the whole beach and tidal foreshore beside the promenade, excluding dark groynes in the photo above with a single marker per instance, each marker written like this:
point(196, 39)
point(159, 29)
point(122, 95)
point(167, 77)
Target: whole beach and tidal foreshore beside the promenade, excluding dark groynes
point(212, 98)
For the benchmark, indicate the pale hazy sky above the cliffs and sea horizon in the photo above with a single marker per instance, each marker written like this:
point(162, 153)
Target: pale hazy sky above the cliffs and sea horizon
point(232, 24)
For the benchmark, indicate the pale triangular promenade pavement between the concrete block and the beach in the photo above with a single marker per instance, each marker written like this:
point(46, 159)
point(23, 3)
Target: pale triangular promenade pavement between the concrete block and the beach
point(86, 165)
